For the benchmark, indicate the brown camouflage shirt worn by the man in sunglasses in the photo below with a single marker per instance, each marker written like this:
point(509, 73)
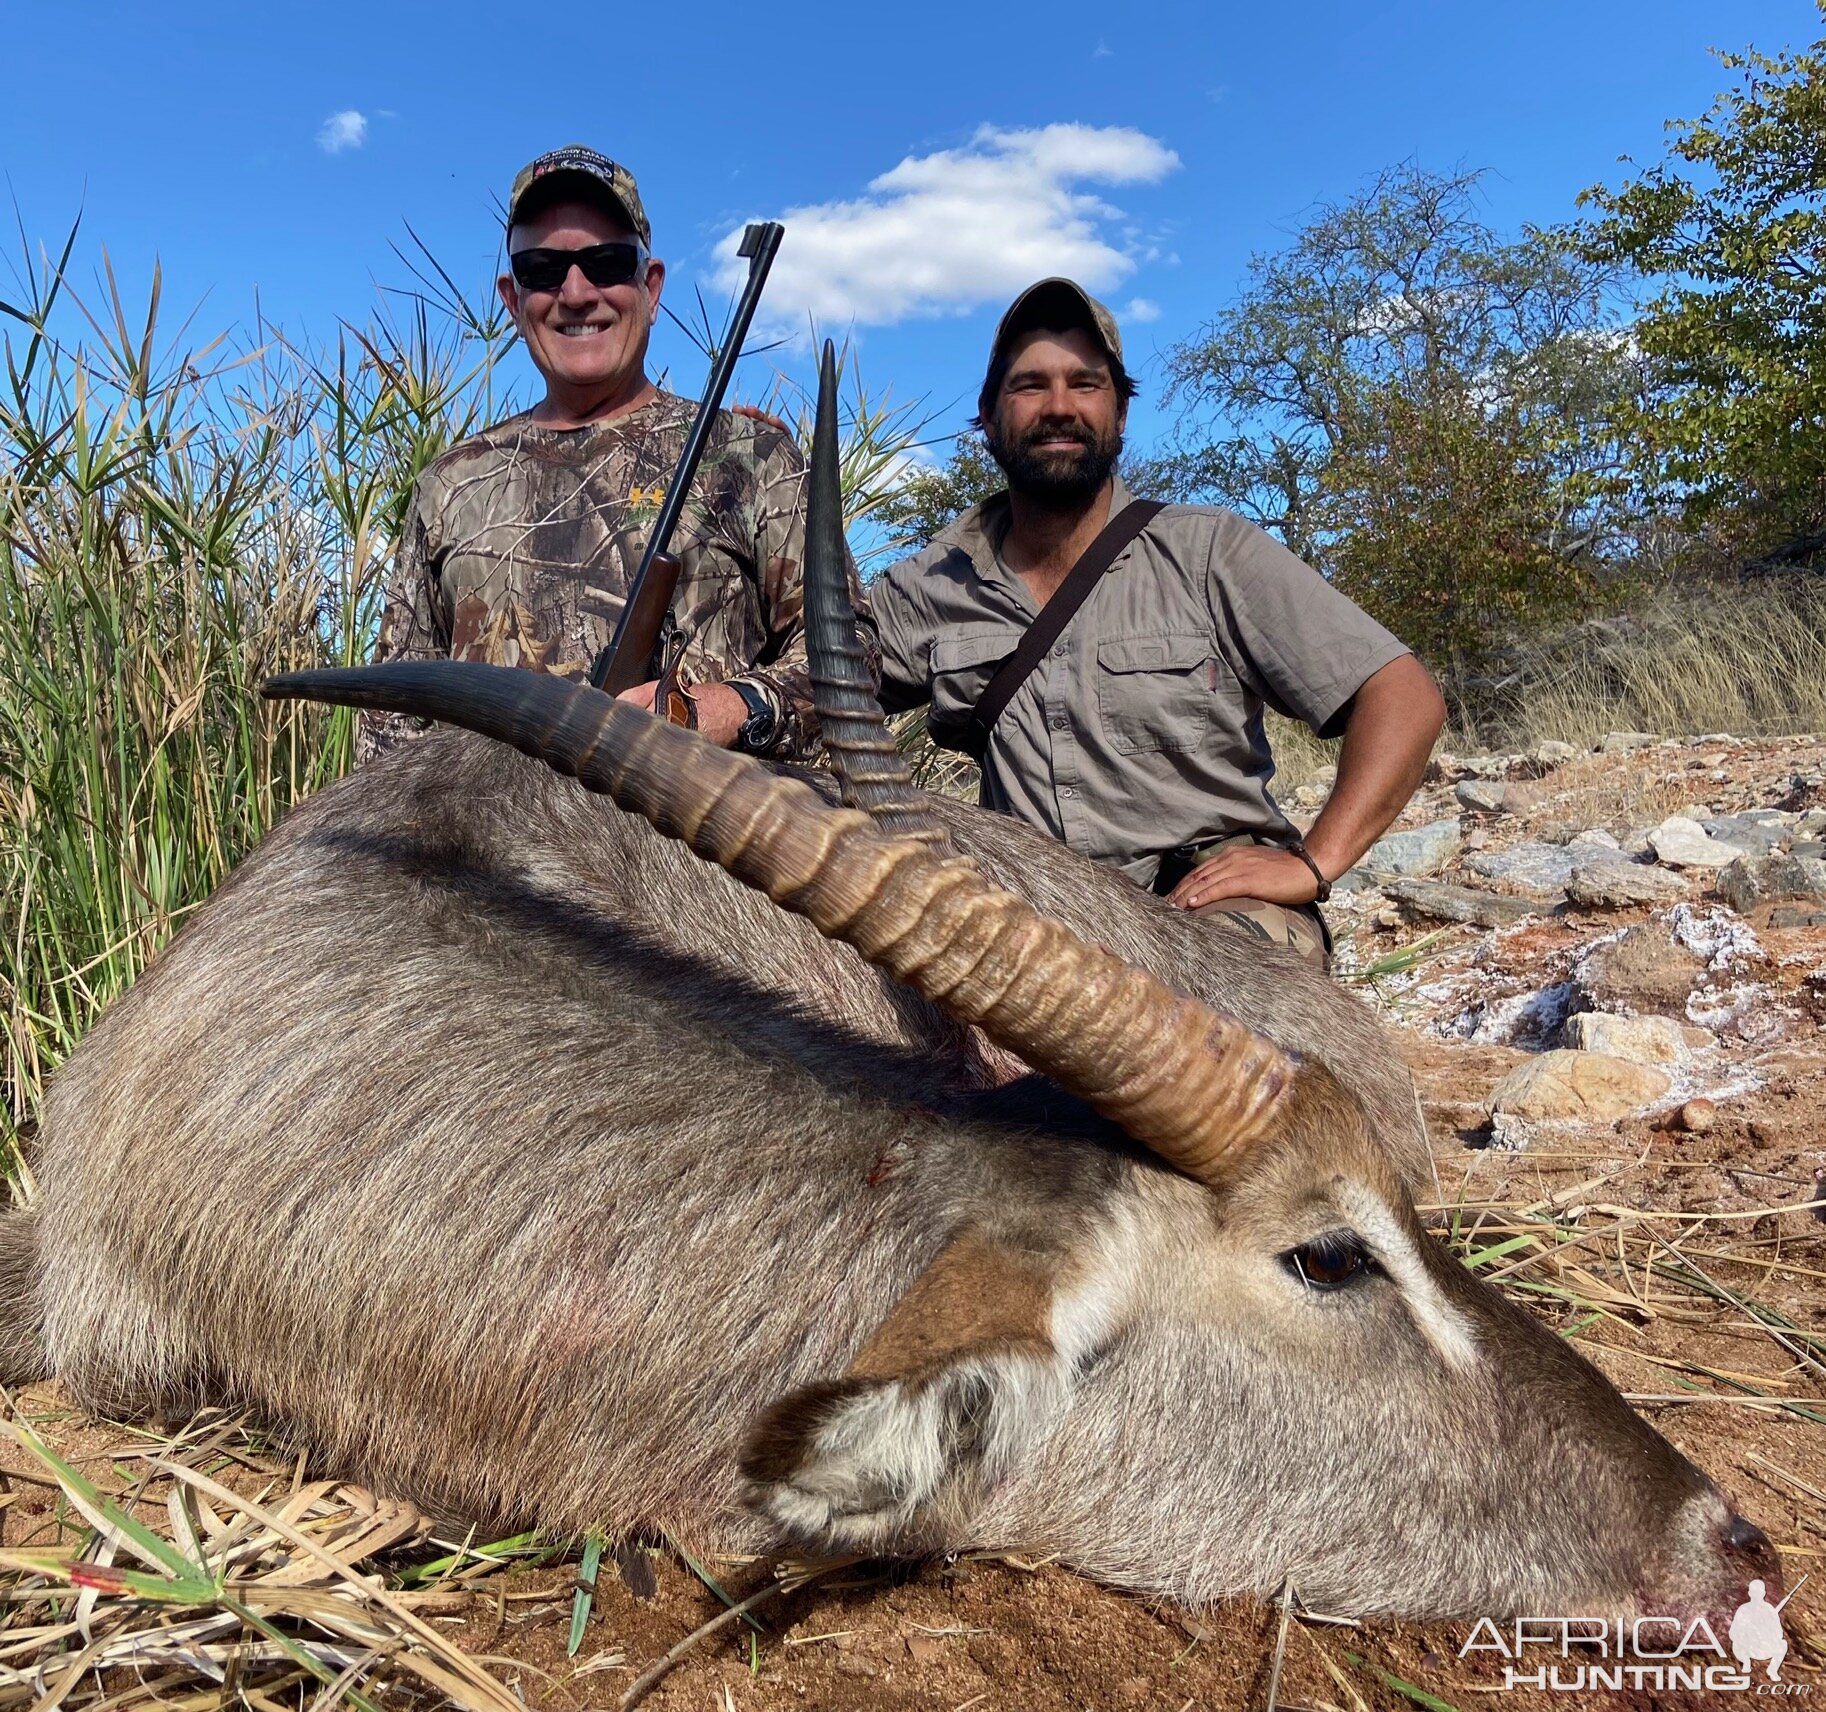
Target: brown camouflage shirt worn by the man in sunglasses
point(521, 543)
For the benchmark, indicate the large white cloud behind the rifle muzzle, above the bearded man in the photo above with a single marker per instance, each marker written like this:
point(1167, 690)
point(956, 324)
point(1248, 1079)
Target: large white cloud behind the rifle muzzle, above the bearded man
point(945, 233)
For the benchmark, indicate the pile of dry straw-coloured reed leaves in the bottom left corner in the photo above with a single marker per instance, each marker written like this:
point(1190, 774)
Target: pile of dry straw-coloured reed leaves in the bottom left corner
point(185, 1591)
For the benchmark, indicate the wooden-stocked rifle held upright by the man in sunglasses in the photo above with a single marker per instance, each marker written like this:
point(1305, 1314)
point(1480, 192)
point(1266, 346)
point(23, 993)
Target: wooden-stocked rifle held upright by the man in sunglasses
point(647, 642)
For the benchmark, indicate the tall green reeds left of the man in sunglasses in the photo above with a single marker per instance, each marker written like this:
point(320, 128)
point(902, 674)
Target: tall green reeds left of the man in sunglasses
point(178, 521)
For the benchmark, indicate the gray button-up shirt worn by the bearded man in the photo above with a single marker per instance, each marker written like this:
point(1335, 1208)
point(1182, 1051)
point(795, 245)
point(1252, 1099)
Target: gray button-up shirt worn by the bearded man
point(1142, 727)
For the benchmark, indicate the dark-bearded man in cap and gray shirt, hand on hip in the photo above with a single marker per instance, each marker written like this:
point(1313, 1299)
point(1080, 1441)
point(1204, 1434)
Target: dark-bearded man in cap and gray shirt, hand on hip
point(1139, 736)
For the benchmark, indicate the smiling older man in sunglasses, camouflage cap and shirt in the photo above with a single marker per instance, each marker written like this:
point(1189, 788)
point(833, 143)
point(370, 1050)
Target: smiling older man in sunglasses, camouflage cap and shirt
point(521, 543)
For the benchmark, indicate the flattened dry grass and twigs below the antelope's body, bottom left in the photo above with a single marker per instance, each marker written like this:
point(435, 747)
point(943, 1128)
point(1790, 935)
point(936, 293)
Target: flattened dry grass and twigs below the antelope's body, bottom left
point(211, 1574)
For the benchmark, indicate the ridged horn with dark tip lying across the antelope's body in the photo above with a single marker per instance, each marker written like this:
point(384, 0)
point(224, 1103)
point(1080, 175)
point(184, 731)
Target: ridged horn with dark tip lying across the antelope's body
point(1179, 1078)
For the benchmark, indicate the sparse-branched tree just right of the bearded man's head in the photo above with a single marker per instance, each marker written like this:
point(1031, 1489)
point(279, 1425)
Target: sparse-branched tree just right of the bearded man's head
point(1423, 412)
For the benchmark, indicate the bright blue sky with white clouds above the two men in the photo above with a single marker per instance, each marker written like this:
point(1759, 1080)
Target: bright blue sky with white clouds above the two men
point(927, 160)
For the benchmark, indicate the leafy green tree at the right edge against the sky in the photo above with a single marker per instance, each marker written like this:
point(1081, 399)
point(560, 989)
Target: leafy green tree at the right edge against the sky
point(1734, 227)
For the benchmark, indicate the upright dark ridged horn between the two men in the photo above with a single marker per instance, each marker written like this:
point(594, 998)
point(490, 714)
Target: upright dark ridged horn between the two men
point(868, 760)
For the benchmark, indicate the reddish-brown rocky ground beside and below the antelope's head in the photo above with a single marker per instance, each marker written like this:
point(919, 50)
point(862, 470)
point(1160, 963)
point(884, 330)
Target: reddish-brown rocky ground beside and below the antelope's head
point(1610, 976)
